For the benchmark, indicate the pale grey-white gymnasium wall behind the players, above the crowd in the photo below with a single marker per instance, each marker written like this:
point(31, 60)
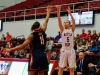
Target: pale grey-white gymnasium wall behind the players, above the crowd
point(18, 28)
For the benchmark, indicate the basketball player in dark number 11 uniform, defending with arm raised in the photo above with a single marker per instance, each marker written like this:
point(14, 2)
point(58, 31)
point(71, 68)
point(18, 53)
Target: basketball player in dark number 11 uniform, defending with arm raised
point(38, 59)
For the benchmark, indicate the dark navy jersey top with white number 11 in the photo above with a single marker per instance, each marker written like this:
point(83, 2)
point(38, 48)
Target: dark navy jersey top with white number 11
point(38, 44)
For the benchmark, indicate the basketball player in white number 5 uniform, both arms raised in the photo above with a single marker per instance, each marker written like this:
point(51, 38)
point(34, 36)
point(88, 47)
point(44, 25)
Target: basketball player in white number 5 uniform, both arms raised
point(67, 55)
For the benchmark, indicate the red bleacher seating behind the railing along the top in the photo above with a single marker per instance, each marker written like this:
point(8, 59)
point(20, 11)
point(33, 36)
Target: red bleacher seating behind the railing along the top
point(29, 4)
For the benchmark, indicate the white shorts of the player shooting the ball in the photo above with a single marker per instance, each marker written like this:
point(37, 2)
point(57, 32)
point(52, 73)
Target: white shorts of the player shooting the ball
point(67, 57)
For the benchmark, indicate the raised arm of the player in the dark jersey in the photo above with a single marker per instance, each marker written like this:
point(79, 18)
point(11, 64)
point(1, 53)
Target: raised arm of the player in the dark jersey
point(44, 27)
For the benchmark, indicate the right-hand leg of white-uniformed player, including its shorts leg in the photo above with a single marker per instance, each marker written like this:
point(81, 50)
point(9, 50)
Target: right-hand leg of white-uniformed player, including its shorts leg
point(71, 61)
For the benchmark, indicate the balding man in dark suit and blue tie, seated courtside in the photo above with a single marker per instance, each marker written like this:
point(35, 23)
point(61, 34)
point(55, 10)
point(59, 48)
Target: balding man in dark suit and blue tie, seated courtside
point(82, 64)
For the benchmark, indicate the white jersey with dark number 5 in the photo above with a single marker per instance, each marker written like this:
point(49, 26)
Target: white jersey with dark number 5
point(67, 39)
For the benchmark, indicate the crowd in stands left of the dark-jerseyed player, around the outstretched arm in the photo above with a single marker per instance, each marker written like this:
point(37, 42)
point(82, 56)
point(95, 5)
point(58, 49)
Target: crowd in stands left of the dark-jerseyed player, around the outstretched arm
point(8, 42)
